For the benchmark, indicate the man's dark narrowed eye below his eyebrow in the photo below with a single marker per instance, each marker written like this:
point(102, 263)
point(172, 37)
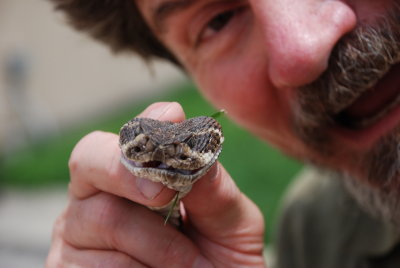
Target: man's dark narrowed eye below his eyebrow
point(217, 24)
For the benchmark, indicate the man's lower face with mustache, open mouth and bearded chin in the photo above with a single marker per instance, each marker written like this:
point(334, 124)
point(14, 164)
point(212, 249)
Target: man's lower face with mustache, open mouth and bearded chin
point(349, 118)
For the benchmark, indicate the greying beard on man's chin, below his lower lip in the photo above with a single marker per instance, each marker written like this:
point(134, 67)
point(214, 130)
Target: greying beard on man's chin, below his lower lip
point(380, 194)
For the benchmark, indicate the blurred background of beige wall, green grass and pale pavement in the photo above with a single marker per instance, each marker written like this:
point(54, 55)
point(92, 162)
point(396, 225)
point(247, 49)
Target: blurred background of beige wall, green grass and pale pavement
point(57, 85)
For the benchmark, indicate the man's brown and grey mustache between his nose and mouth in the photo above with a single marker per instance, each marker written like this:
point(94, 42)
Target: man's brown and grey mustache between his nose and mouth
point(357, 62)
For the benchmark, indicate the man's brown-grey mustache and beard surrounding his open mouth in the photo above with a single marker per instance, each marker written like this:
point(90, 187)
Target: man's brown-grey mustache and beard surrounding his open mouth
point(356, 65)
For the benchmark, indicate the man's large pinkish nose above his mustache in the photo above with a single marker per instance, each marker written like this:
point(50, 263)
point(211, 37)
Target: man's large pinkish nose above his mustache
point(299, 36)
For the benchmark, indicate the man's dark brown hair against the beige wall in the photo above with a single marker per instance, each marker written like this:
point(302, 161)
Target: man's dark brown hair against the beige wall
point(118, 23)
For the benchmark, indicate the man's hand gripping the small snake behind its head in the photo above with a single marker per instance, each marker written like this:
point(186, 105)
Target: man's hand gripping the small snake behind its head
point(106, 225)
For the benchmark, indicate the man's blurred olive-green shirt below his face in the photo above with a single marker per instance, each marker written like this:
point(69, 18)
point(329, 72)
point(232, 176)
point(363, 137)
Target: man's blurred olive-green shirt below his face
point(323, 227)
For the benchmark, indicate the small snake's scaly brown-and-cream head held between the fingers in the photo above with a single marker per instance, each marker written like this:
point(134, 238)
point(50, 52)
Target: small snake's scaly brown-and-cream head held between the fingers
point(185, 151)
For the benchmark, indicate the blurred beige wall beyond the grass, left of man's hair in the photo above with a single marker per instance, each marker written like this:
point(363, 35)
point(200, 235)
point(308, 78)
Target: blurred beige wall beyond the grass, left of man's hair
point(52, 76)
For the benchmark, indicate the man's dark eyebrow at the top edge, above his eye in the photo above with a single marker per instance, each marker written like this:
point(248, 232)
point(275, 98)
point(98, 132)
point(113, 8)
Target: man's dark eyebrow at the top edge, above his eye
point(168, 8)
